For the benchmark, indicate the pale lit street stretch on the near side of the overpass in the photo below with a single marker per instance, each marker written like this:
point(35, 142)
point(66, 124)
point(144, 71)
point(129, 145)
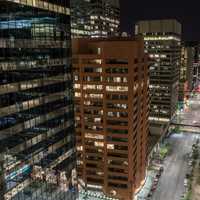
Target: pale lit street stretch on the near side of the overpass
point(171, 183)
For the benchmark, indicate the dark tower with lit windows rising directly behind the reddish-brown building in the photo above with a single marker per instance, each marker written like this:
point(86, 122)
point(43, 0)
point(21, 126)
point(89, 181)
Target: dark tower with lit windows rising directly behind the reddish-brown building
point(95, 18)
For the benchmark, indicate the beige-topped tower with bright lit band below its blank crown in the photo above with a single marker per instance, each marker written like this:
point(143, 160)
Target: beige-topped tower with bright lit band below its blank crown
point(163, 44)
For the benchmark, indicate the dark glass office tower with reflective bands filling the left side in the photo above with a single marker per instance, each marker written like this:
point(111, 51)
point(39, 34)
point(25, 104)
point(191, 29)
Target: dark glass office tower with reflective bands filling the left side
point(37, 154)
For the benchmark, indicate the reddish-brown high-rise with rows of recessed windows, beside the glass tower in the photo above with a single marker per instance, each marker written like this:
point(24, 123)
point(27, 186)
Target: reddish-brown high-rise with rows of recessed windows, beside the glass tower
point(112, 108)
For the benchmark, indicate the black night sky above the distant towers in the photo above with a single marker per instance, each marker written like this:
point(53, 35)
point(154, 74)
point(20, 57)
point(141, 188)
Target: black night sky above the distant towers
point(186, 12)
